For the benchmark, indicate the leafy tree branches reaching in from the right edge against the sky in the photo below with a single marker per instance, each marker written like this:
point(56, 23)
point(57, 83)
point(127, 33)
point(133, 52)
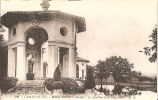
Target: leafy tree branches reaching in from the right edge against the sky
point(152, 51)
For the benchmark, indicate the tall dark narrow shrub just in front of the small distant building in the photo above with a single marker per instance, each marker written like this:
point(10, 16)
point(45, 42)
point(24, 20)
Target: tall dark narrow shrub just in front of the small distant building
point(90, 82)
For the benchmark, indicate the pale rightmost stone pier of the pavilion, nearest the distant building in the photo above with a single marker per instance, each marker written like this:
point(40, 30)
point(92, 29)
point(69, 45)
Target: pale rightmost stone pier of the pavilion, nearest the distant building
point(72, 63)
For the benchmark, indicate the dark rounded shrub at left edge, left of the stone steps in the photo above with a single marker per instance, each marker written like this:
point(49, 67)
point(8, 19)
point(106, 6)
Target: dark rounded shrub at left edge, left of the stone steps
point(8, 83)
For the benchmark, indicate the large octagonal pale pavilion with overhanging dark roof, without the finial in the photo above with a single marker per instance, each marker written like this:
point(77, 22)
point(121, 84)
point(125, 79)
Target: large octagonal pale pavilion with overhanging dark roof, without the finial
point(29, 31)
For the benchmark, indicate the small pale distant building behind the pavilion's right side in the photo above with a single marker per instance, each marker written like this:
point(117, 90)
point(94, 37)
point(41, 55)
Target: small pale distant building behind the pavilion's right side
point(81, 68)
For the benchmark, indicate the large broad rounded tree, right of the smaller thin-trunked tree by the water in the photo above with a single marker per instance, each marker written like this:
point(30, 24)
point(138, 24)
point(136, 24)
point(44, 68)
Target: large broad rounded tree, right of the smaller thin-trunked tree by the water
point(120, 67)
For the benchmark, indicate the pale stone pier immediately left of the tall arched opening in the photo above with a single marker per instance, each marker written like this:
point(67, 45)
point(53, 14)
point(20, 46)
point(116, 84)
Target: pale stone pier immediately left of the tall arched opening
point(21, 59)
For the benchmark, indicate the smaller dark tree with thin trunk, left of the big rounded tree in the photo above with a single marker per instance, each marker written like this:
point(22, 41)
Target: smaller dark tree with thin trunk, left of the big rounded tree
point(102, 71)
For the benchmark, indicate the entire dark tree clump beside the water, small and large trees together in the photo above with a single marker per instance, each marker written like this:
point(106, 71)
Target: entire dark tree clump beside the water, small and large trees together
point(119, 67)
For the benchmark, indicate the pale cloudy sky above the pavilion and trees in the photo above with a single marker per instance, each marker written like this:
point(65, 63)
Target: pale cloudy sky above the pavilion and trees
point(113, 27)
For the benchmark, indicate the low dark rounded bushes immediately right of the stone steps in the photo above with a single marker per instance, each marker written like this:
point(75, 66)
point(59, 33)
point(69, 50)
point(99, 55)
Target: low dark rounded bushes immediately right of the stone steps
point(69, 85)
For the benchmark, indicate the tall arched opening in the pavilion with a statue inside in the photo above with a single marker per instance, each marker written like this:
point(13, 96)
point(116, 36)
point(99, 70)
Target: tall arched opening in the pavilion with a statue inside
point(35, 37)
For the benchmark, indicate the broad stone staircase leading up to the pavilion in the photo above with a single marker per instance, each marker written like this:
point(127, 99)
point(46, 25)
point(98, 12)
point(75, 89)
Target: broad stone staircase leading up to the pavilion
point(29, 87)
